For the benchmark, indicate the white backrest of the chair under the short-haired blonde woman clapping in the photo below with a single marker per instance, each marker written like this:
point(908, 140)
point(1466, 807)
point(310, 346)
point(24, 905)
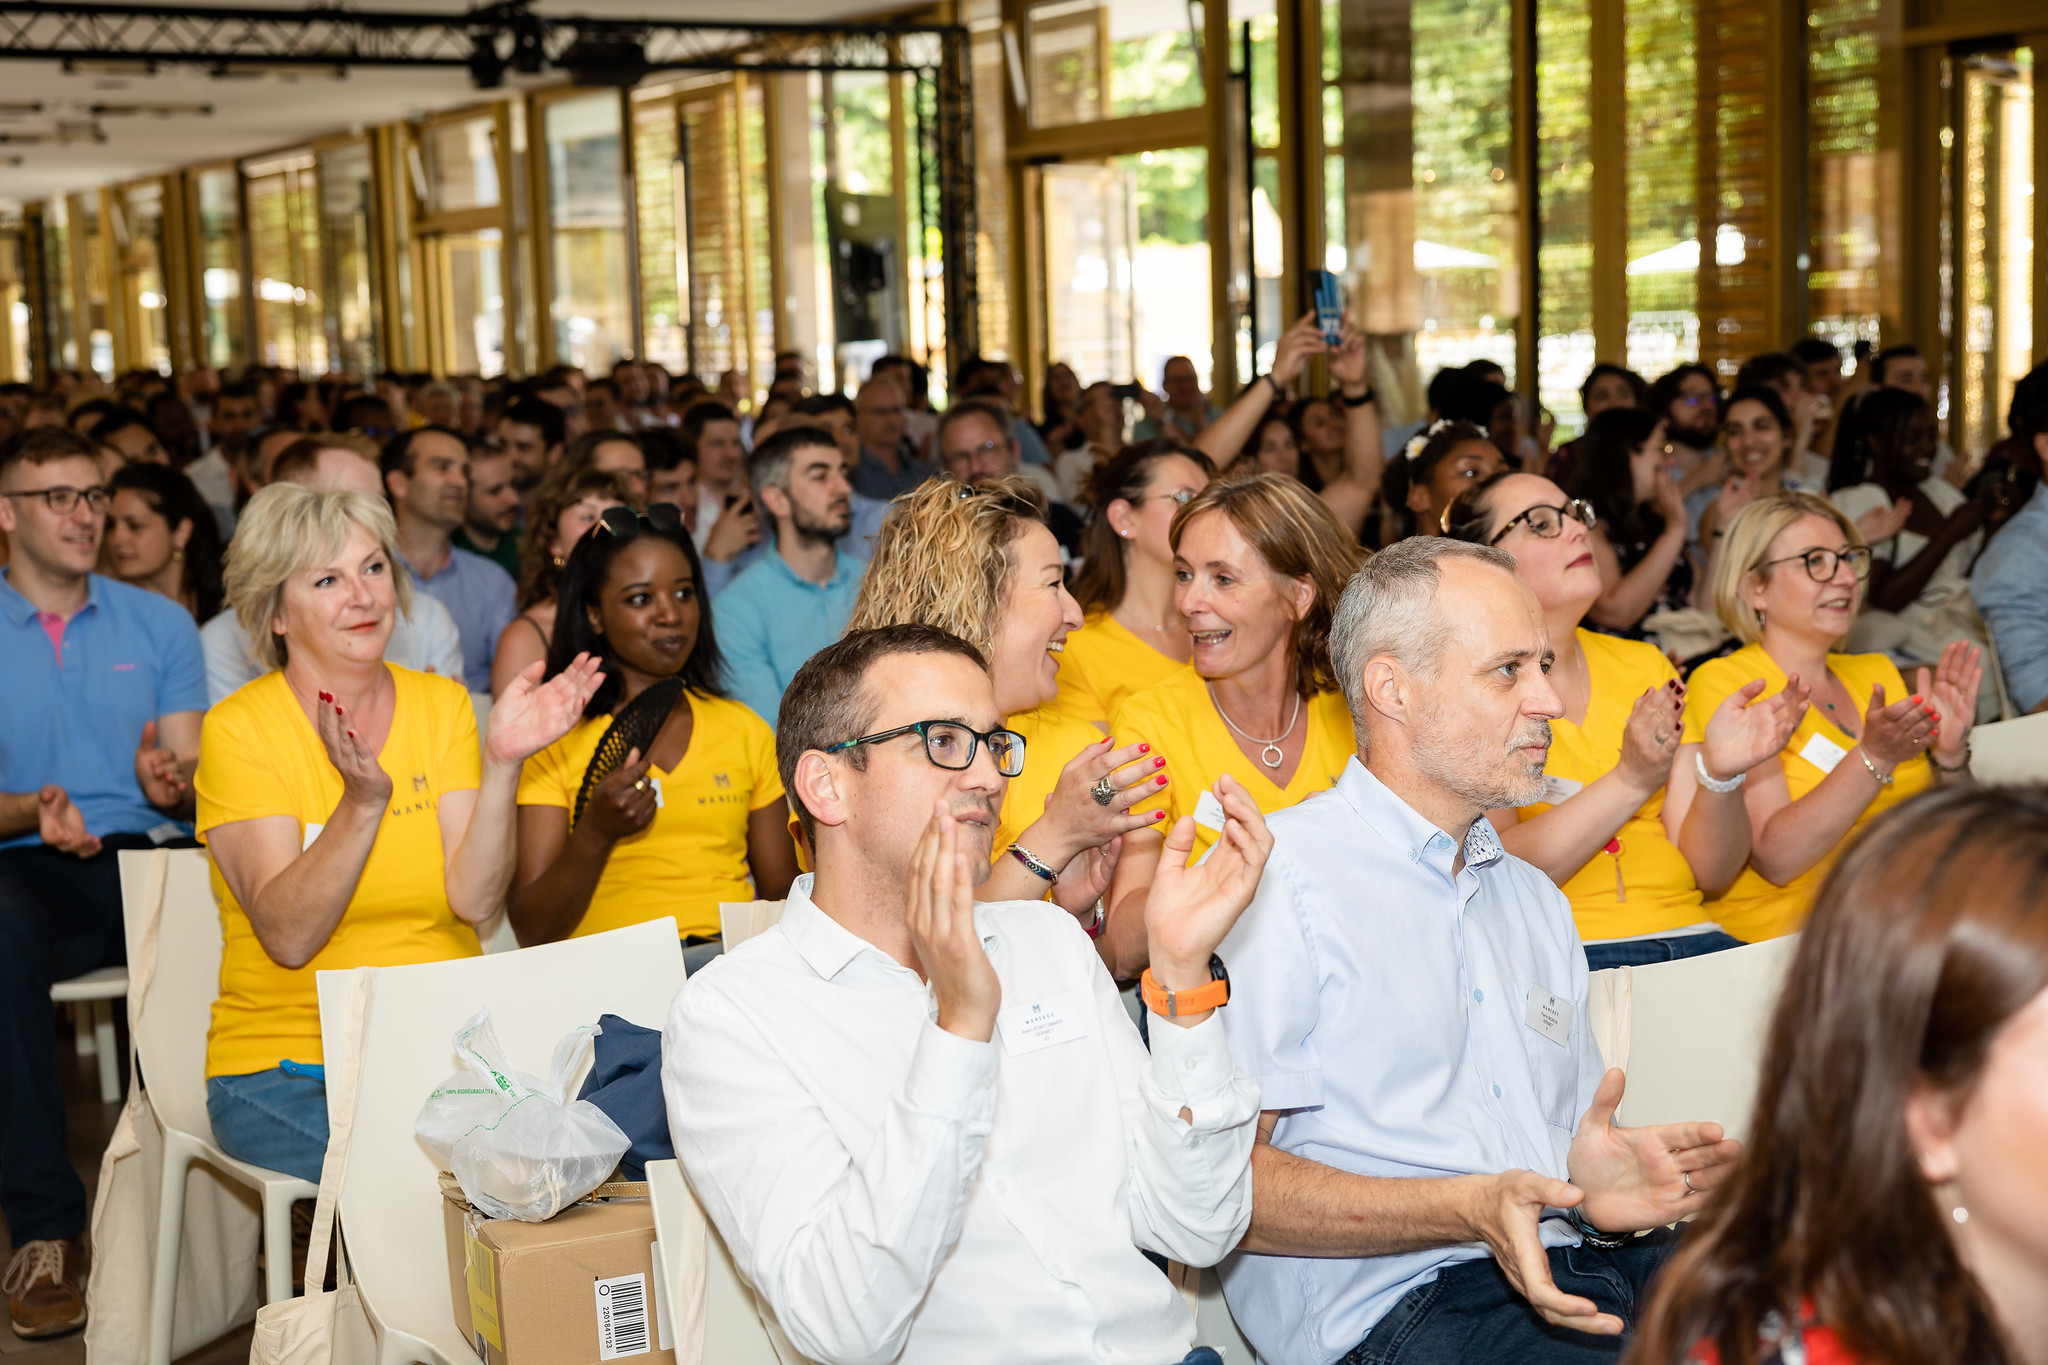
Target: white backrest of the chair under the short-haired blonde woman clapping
point(175, 1012)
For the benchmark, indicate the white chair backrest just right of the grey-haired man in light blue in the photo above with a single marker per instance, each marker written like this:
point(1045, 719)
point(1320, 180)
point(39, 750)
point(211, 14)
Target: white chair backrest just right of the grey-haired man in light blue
point(1691, 1034)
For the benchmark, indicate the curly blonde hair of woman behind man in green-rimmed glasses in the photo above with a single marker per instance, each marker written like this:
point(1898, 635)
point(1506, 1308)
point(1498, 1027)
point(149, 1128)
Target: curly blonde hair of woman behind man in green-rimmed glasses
point(943, 558)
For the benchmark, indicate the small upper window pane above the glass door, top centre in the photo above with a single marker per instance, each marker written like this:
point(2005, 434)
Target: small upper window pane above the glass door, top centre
point(1093, 62)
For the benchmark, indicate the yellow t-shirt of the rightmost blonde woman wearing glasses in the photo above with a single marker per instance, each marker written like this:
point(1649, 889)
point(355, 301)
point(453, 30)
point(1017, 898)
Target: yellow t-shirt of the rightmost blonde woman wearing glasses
point(1756, 910)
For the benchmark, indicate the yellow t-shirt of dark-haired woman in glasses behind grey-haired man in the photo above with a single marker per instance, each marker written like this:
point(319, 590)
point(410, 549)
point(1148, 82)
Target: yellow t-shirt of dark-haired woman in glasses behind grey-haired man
point(1656, 877)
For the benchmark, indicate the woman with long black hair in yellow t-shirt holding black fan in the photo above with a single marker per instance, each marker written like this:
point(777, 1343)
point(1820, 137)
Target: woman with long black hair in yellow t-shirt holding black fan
point(673, 830)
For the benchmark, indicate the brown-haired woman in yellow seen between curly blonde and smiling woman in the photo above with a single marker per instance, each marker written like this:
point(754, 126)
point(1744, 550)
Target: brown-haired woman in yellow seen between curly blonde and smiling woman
point(1132, 635)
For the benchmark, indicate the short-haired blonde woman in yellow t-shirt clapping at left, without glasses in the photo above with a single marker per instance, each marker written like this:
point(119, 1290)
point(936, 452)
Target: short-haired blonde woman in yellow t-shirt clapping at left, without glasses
point(351, 816)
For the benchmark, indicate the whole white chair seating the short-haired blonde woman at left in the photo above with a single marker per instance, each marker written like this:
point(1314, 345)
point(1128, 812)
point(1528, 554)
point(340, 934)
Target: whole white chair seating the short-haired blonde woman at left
point(171, 1026)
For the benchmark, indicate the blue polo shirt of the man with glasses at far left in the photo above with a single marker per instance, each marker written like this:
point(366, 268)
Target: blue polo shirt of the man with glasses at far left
point(81, 691)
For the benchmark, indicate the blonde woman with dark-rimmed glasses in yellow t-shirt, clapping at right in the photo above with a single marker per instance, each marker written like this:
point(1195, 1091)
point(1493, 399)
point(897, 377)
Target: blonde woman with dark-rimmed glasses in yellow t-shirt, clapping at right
point(1789, 582)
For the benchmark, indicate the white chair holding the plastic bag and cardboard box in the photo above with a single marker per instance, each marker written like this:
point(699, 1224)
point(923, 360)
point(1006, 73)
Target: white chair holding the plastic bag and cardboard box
point(392, 1221)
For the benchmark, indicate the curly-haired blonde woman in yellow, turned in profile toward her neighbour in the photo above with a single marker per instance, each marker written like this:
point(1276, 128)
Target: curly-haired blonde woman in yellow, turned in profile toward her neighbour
point(978, 560)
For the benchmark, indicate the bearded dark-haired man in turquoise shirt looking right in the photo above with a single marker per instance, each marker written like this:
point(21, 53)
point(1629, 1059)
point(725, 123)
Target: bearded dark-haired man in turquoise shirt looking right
point(796, 599)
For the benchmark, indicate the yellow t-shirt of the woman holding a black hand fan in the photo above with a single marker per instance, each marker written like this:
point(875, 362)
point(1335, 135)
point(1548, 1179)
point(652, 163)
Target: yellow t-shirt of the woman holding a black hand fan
point(695, 854)
